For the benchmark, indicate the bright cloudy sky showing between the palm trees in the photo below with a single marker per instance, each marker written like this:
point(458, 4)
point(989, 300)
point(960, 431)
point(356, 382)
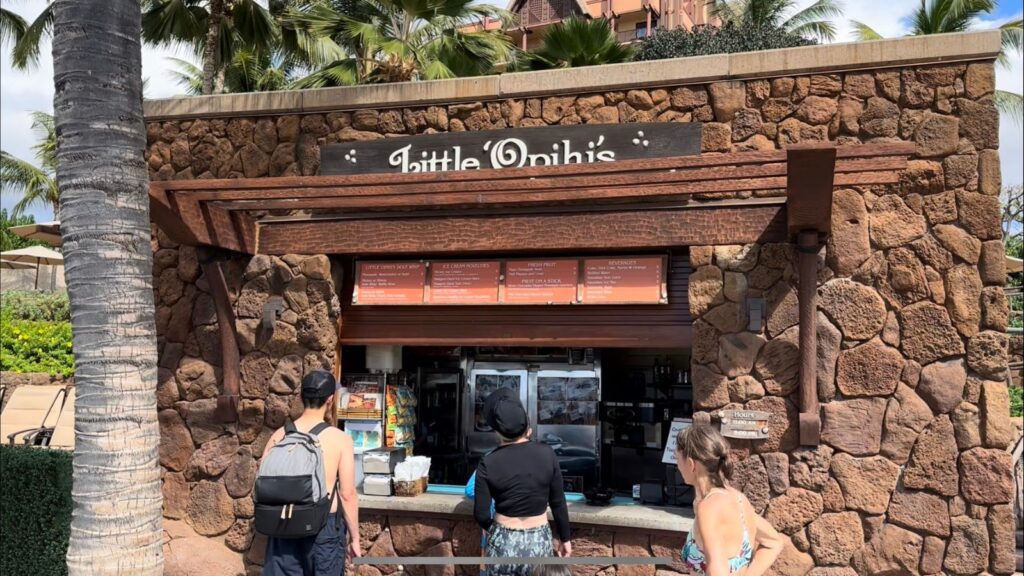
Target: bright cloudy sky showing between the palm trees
point(21, 94)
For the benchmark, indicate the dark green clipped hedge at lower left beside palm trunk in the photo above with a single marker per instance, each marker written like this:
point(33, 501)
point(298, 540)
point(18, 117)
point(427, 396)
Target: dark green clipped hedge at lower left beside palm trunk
point(35, 511)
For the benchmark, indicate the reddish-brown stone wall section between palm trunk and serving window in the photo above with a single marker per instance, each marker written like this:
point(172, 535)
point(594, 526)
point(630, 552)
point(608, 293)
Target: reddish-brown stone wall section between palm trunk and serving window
point(209, 468)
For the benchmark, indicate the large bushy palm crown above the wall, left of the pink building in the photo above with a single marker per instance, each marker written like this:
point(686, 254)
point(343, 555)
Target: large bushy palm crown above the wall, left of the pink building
point(400, 40)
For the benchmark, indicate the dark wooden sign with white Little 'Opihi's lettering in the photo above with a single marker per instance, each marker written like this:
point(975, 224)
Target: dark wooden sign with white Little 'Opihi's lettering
point(518, 148)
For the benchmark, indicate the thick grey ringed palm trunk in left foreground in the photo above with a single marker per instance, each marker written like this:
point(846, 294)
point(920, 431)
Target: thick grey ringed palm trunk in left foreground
point(98, 64)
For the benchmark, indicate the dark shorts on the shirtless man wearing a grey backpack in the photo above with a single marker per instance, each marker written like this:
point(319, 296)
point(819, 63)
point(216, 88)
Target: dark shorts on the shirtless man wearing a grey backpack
point(323, 555)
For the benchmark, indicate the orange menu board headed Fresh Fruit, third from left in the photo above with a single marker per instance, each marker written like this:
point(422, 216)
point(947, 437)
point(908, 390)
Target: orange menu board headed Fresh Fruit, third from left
point(541, 282)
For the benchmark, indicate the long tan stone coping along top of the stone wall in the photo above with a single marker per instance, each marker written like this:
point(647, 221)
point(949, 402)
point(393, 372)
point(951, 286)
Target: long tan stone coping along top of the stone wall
point(984, 46)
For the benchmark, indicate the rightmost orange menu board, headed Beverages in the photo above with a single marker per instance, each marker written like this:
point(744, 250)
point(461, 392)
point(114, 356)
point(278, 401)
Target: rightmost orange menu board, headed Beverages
point(624, 281)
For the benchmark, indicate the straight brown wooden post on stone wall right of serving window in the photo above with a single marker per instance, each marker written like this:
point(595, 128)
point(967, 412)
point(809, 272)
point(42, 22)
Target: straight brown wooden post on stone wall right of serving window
point(810, 422)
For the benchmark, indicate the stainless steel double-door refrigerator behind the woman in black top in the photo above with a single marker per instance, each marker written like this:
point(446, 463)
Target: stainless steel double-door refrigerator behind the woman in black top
point(563, 402)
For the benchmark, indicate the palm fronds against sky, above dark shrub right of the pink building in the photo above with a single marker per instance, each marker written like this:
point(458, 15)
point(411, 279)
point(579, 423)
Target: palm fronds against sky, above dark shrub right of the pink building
point(814, 23)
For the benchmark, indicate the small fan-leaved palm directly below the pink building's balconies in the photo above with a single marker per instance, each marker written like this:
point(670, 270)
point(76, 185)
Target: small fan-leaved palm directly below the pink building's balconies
point(577, 43)
